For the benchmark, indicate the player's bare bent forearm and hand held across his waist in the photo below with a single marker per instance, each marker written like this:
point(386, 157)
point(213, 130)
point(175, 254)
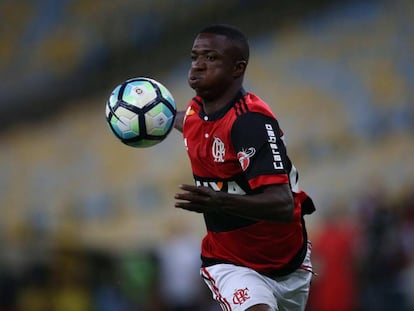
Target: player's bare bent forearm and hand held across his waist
point(275, 203)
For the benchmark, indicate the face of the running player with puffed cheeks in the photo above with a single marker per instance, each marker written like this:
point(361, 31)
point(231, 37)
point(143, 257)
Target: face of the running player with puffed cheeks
point(213, 67)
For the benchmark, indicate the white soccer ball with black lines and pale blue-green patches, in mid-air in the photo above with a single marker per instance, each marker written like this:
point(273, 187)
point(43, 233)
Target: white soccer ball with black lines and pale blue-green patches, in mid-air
point(140, 112)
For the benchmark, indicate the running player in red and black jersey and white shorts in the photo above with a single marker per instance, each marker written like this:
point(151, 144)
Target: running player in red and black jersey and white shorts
point(255, 254)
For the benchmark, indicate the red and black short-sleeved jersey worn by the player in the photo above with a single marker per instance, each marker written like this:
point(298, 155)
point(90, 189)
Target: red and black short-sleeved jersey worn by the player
point(239, 150)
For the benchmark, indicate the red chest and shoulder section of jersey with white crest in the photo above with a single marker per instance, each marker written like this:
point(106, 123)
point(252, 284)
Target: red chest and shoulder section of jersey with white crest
point(208, 137)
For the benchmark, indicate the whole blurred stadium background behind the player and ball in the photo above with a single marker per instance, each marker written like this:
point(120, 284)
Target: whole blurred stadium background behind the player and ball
point(86, 221)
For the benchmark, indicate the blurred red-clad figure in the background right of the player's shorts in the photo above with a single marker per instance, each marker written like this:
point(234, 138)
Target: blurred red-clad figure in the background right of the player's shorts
point(335, 245)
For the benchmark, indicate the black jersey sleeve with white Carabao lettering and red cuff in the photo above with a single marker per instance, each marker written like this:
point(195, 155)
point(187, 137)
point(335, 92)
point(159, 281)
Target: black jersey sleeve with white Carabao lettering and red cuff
point(260, 149)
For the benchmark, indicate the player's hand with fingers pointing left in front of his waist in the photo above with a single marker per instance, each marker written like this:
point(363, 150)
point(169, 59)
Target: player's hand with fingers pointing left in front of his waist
point(197, 199)
